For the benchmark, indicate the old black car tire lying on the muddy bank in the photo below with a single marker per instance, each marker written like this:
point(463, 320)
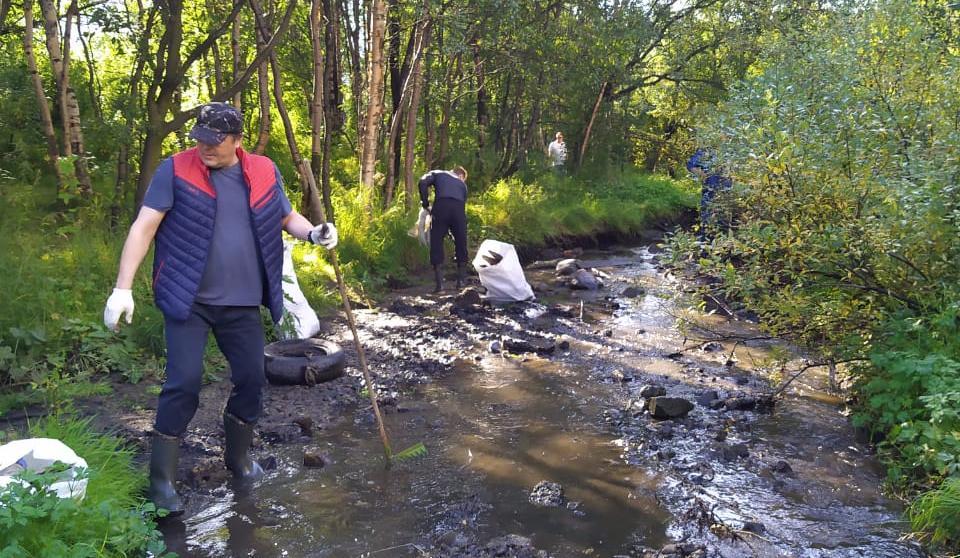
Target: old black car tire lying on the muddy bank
point(303, 361)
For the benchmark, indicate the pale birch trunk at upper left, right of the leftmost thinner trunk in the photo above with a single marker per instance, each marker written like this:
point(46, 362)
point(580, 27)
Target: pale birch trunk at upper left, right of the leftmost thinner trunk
point(70, 108)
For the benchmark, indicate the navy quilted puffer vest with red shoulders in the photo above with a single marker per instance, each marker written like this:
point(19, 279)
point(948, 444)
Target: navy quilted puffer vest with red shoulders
point(184, 236)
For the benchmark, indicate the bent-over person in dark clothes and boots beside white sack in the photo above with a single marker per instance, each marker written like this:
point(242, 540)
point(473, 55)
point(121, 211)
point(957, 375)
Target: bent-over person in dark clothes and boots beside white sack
point(449, 215)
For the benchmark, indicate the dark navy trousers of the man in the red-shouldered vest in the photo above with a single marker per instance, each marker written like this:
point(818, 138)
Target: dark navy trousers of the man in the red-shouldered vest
point(239, 334)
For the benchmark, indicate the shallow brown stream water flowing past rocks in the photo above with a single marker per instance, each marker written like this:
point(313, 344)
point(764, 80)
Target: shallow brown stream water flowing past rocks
point(499, 424)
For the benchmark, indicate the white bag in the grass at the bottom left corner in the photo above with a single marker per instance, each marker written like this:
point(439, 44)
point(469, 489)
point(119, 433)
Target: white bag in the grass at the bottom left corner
point(36, 454)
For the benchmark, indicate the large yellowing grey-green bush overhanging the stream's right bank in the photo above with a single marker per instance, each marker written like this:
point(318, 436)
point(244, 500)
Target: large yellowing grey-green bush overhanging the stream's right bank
point(844, 160)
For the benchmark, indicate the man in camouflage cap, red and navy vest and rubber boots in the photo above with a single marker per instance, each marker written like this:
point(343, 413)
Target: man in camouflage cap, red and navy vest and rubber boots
point(216, 213)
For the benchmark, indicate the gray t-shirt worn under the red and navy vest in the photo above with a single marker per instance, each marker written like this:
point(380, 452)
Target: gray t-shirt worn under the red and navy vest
point(233, 275)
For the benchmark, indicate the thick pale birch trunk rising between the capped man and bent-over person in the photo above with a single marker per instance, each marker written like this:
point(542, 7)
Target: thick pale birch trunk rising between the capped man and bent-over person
point(371, 128)
